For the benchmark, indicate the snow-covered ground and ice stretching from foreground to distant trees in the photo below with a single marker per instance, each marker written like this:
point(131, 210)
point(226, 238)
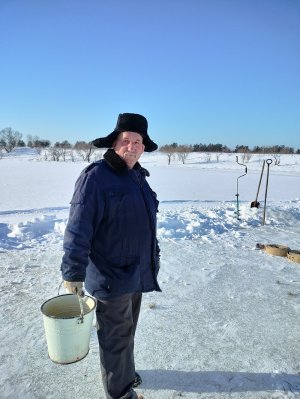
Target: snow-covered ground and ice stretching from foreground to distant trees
point(227, 322)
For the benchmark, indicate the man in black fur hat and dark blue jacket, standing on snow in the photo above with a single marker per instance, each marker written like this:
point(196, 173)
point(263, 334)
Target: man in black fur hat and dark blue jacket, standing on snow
point(110, 244)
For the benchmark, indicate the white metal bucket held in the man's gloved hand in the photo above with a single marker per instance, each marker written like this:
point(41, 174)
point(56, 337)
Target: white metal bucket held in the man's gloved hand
point(67, 329)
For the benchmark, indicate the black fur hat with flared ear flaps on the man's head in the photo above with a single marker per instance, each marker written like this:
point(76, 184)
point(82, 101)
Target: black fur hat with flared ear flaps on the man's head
point(128, 123)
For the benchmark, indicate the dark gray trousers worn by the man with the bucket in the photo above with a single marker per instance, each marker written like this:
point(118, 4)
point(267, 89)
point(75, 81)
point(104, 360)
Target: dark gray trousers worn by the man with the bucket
point(116, 324)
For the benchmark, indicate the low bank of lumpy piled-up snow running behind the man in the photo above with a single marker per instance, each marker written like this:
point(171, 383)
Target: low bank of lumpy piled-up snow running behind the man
point(186, 223)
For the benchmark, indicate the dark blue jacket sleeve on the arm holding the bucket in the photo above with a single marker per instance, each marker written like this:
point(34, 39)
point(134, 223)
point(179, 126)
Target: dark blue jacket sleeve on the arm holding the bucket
point(86, 212)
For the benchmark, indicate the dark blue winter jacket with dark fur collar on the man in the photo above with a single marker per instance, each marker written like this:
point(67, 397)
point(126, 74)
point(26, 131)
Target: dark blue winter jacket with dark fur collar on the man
point(110, 239)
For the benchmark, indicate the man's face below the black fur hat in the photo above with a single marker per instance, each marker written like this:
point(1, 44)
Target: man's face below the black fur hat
point(129, 146)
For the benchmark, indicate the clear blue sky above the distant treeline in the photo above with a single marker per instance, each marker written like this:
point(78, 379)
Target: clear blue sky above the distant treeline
point(201, 71)
